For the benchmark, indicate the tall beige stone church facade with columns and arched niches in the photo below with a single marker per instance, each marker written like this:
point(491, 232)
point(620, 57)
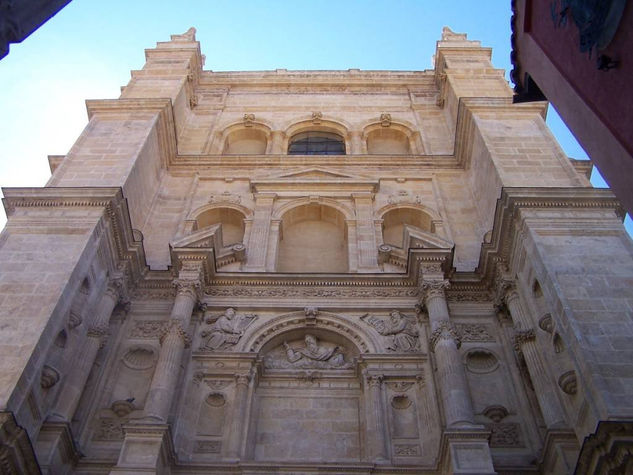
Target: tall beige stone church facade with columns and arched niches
point(184, 296)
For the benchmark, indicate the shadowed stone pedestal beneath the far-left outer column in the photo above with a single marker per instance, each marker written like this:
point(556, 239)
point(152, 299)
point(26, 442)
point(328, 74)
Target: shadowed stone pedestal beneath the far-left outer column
point(55, 448)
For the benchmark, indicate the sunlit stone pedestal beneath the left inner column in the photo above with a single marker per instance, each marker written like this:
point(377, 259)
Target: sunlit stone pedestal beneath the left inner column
point(147, 448)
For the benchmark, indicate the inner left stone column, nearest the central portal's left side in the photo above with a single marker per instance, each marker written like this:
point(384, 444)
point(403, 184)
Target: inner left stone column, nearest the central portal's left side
point(173, 343)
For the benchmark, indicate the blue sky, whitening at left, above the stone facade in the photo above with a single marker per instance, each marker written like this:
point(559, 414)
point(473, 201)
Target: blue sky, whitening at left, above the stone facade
point(87, 50)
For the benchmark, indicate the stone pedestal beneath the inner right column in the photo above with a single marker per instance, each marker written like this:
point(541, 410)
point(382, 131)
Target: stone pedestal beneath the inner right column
point(467, 451)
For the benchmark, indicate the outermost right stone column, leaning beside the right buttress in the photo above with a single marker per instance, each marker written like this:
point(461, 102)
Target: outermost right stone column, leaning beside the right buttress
point(525, 341)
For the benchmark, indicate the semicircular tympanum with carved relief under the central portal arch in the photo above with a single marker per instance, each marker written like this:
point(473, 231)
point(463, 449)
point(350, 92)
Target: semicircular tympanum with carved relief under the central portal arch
point(309, 348)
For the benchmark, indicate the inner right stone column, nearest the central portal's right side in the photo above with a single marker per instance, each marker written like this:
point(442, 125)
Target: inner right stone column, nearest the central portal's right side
point(445, 342)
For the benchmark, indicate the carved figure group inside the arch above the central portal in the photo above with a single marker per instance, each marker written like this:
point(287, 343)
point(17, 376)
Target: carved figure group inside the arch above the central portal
point(309, 354)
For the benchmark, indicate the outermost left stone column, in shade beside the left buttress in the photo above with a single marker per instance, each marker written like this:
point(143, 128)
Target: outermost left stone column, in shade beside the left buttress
point(97, 333)
